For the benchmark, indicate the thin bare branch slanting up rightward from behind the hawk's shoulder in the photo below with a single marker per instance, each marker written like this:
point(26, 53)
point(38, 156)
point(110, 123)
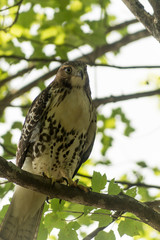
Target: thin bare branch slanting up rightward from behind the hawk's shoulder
point(111, 99)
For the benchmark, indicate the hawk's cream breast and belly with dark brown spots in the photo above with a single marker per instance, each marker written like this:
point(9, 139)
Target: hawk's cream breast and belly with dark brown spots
point(63, 134)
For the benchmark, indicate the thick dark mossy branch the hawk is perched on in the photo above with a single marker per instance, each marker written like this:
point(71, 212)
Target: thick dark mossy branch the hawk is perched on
point(75, 195)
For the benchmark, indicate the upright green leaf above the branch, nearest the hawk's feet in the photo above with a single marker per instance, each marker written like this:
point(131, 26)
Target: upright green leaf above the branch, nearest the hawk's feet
point(98, 181)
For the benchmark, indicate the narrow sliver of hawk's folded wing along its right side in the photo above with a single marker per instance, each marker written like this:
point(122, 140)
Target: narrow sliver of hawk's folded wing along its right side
point(89, 141)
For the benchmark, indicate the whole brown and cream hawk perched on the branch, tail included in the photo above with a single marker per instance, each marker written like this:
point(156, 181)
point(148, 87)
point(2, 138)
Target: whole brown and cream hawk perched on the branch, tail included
point(57, 137)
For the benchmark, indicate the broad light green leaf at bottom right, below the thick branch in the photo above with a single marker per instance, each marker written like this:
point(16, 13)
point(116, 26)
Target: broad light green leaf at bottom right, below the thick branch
point(129, 227)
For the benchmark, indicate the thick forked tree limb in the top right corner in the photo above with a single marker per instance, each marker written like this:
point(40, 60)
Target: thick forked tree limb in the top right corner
point(151, 22)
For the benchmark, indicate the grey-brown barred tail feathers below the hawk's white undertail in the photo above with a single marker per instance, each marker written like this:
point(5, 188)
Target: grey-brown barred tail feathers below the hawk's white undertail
point(10, 229)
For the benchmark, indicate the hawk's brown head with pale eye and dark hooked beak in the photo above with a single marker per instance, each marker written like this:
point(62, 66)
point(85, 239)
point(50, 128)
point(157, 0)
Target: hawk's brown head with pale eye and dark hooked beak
point(73, 74)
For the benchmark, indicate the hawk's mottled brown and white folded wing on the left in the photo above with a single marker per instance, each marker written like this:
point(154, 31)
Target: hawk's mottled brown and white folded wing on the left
point(32, 123)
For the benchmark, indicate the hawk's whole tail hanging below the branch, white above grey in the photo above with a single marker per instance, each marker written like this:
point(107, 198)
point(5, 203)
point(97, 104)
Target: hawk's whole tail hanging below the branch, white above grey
point(22, 219)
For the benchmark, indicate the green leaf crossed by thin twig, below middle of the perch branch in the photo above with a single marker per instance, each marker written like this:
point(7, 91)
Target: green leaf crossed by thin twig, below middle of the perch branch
point(102, 217)
